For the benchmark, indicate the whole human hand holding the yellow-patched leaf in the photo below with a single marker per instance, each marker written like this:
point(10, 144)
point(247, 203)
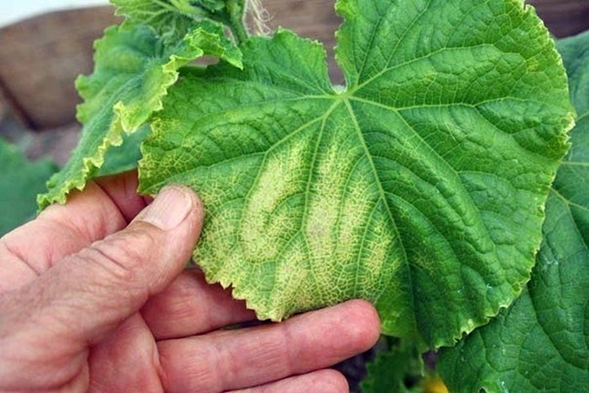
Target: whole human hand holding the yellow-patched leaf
point(89, 302)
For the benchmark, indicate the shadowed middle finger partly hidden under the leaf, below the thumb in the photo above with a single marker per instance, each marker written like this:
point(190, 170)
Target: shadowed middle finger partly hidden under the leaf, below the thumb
point(190, 306)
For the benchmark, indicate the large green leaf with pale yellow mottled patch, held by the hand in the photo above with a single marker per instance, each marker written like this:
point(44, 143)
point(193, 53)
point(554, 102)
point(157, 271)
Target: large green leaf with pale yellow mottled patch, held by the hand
point(420, 186)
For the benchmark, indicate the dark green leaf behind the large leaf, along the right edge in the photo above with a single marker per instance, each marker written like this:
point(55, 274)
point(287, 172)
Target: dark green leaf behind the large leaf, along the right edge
point(541, 343)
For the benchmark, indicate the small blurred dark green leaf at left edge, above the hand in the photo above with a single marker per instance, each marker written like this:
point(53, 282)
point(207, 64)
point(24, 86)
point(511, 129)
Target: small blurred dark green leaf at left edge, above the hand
point(20, 182)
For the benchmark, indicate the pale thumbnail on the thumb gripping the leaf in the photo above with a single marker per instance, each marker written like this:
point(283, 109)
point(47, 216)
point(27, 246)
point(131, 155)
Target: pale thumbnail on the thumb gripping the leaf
point(169, 208)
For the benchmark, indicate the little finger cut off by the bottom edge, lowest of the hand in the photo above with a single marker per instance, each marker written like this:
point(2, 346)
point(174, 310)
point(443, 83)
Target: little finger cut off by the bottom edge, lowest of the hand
point(324, 381)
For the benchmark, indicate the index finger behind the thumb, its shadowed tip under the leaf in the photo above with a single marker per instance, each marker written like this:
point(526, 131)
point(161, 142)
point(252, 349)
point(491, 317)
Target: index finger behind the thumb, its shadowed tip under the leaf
point(105, 207)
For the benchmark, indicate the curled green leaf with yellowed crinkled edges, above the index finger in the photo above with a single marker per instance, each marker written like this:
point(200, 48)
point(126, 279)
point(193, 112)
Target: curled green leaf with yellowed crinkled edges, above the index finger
point(134, 67)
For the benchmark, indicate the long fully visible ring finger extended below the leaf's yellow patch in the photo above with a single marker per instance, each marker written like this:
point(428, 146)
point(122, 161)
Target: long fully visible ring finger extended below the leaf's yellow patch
point(226, 360)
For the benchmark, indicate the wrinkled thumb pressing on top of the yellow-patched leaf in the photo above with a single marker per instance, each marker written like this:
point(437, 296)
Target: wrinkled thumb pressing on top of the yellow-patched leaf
point(89, 294)
